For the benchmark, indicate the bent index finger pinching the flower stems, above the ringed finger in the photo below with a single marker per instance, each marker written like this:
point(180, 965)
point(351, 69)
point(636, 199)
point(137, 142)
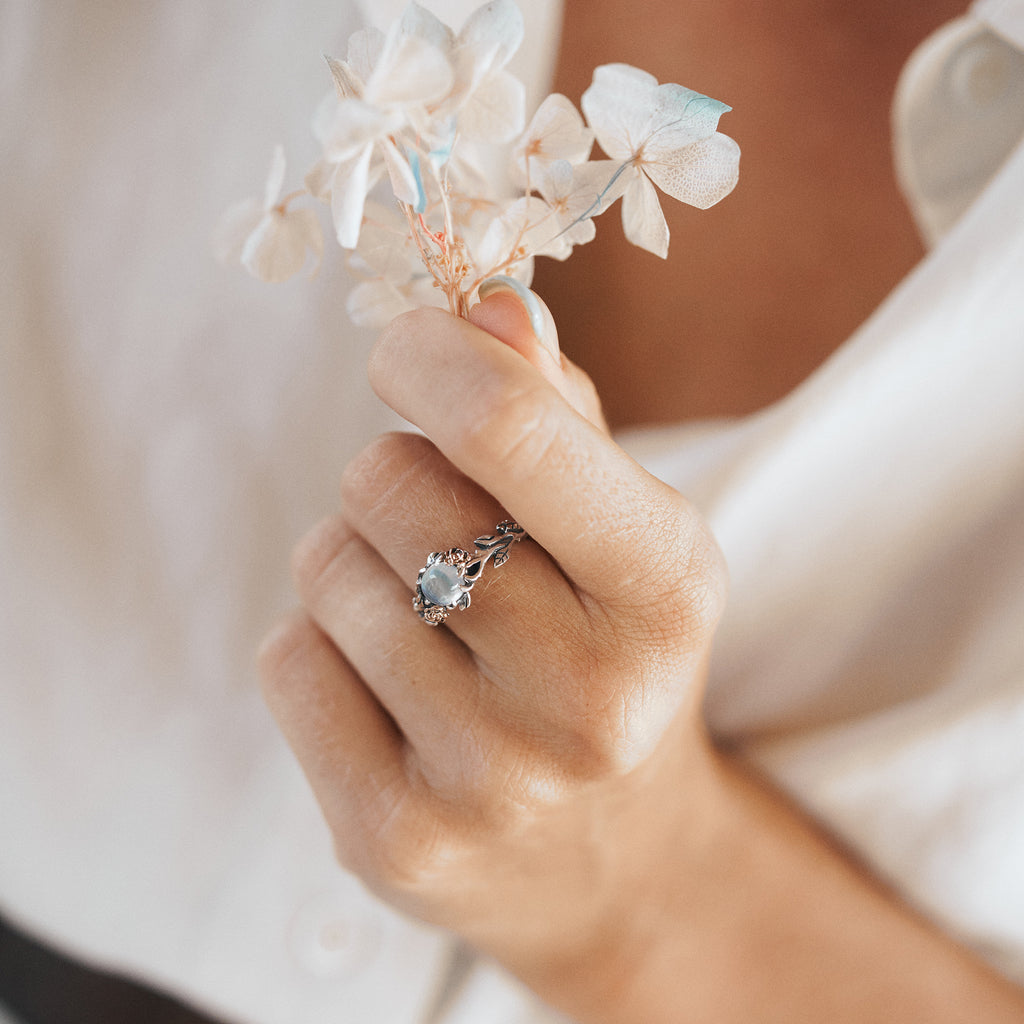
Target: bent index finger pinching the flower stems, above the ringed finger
point(610, 525)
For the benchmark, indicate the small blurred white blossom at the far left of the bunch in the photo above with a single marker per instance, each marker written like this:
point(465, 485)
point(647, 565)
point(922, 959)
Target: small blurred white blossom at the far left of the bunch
point(270, 238)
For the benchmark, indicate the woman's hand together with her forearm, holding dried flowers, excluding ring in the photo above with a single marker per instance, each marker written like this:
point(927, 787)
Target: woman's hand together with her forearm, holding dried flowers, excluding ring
point(534, 775)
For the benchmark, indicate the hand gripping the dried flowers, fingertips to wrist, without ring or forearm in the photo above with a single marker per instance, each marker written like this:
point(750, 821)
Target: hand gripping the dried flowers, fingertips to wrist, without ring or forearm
point(516, 775)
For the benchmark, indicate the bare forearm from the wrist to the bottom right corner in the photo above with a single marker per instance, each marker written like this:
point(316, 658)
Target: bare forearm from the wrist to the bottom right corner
point(769, 921)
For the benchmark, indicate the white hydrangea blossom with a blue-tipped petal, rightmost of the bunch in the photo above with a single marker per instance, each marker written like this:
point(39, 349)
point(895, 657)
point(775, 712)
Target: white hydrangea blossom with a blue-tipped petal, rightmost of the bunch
point(665, 135)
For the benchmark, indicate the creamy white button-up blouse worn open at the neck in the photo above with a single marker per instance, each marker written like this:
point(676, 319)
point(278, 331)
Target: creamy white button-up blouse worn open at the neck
point(169, 429)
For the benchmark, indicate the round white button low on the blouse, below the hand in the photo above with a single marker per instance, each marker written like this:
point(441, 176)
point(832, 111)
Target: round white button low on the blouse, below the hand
point(333, 936)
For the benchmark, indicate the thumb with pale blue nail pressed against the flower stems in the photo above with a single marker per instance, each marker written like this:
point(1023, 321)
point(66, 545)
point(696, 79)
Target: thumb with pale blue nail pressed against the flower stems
point(513, 314)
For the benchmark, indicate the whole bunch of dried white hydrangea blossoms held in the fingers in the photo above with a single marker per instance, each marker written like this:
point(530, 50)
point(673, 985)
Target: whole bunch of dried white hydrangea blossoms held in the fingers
point(438, 117)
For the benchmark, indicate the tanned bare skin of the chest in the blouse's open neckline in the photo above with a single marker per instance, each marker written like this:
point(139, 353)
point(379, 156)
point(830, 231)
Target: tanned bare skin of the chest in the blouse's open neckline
point(758, 291)
